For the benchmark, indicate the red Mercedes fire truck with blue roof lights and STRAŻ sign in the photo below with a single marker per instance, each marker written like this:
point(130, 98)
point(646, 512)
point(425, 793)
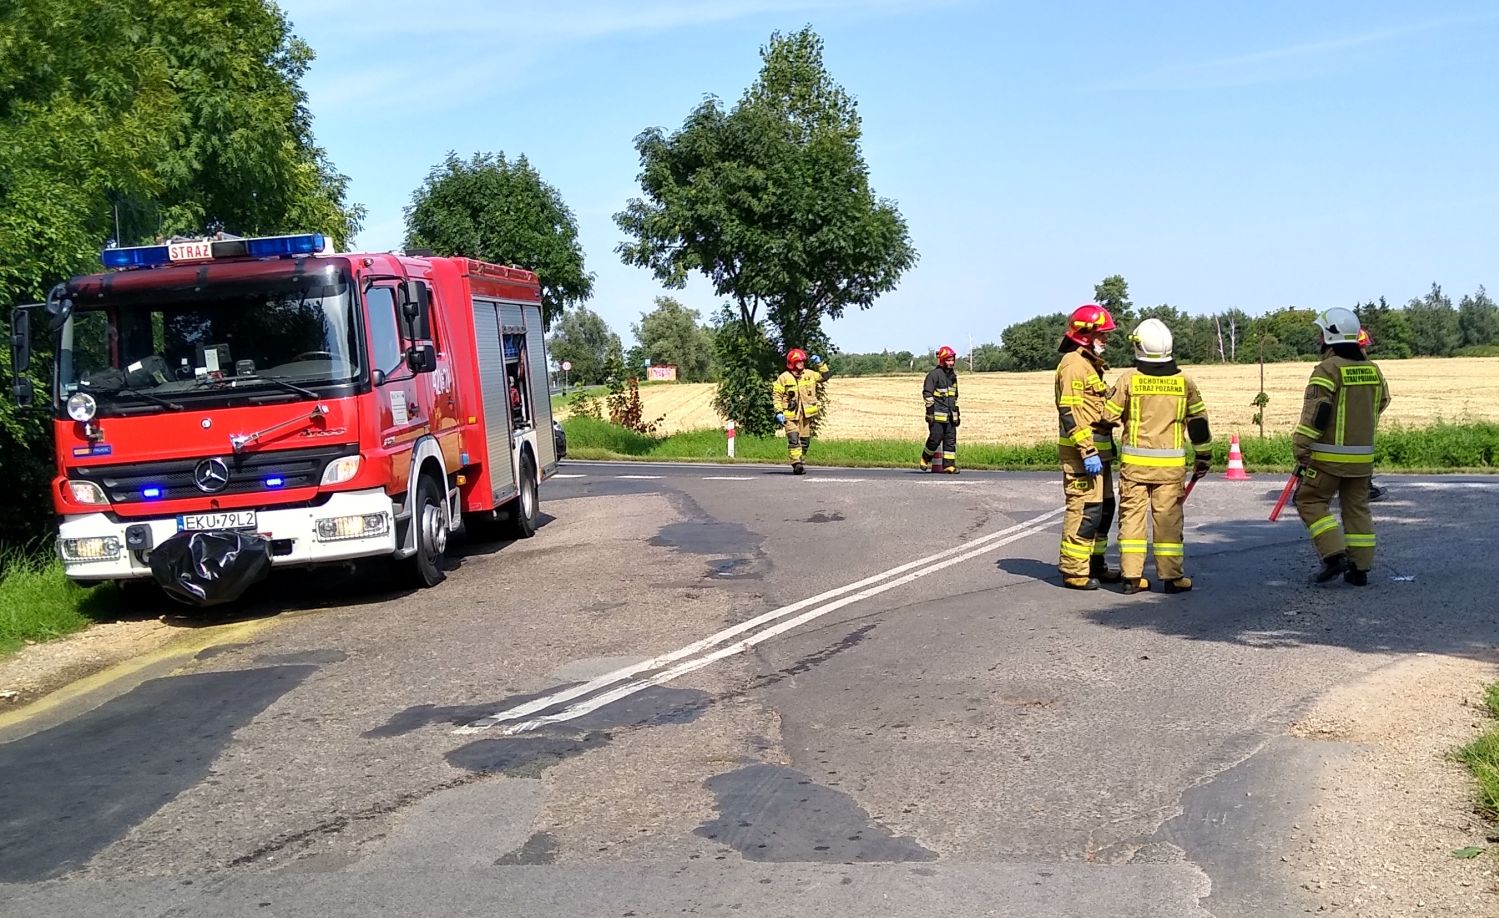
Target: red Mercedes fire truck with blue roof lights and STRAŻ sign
point(227, 406)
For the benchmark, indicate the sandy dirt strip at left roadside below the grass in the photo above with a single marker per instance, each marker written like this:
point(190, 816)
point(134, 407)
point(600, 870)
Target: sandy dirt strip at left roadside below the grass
point(44, 668)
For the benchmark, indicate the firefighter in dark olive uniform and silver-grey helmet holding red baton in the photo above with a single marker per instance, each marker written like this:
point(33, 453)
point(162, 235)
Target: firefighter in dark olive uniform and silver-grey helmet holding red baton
point(1335, 449)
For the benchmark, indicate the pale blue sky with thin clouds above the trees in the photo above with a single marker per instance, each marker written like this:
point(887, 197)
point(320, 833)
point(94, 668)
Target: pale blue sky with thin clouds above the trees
point(1216, 155)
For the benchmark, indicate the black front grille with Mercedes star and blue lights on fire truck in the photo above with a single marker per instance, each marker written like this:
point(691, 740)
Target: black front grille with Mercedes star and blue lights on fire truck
point(179, 479)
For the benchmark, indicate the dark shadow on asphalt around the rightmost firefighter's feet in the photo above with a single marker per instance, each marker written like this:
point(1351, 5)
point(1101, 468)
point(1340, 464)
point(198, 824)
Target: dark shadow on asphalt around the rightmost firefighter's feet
point(1252, 586)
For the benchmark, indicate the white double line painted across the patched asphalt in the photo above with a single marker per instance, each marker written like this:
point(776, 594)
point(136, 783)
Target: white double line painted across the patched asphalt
point(861, 590)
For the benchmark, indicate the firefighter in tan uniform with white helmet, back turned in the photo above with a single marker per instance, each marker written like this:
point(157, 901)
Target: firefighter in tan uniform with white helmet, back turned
point(1158, 410)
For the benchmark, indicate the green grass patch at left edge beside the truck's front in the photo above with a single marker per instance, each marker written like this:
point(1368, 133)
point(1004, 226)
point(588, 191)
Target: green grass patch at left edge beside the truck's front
point(40, 604)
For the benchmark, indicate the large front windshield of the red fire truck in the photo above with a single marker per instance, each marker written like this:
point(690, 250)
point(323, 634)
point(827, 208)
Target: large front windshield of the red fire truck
point(217, 344)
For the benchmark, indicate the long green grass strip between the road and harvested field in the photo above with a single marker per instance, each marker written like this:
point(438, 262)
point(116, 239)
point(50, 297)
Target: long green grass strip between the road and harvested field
point(1441, 448)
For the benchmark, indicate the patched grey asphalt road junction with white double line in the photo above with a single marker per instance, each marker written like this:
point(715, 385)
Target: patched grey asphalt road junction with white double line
point(726, 691)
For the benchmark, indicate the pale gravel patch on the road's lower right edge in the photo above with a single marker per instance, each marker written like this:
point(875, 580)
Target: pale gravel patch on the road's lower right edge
point(1381, 839)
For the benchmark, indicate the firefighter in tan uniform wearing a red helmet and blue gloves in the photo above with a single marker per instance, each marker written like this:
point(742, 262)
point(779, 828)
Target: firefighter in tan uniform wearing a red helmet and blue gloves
point(1086, 451)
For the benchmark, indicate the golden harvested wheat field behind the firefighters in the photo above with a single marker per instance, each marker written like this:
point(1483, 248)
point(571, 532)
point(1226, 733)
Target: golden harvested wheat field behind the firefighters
point(1019, 407)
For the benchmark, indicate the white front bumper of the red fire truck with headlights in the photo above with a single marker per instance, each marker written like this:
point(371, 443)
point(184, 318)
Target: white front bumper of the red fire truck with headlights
point(352, 524)
